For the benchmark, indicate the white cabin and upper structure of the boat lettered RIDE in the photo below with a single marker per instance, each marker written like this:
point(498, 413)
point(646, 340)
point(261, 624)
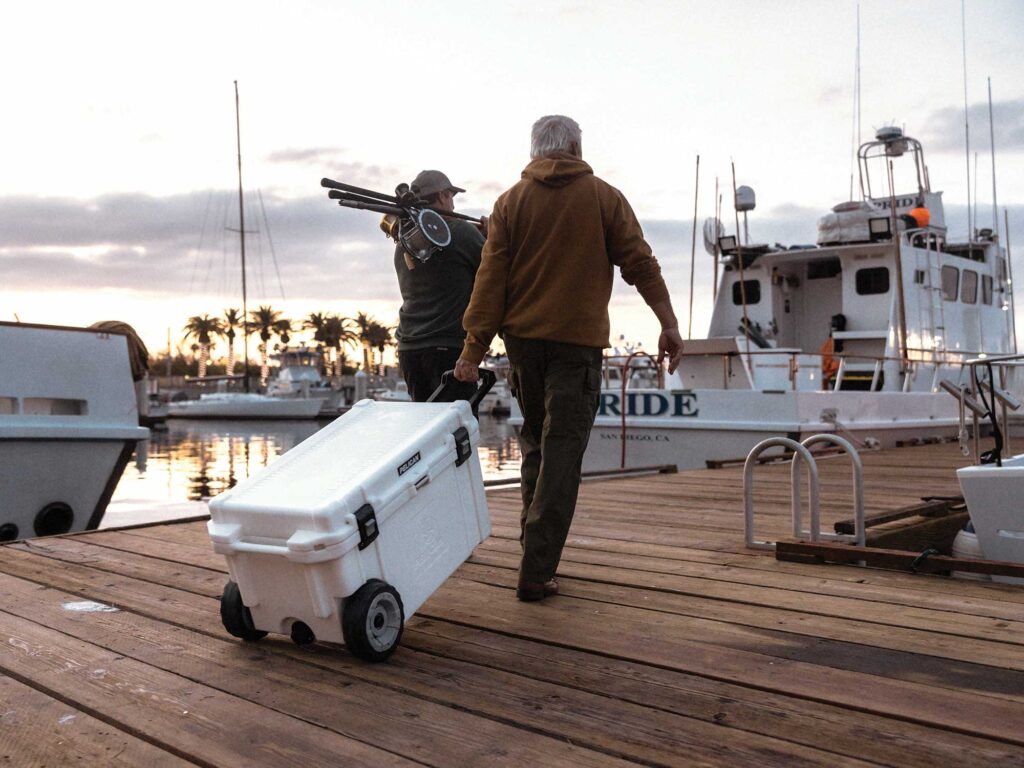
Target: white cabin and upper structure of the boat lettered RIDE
point(884, 302)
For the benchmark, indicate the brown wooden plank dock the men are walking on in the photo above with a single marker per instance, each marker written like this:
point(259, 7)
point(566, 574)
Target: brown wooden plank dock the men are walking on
point(670, 645)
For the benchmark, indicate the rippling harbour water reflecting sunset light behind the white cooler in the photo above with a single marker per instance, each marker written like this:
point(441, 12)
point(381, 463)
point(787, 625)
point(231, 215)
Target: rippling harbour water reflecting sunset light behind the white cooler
point(196, 460)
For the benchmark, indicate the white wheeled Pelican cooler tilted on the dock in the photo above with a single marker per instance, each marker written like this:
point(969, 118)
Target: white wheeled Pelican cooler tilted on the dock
point(348, 535)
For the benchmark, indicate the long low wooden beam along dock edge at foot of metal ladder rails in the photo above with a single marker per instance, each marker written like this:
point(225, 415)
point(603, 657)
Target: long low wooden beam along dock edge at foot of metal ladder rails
point(888, 559)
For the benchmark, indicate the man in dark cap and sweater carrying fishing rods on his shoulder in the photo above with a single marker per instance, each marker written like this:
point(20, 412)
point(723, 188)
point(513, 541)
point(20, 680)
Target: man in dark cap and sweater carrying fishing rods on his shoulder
point(435, 295)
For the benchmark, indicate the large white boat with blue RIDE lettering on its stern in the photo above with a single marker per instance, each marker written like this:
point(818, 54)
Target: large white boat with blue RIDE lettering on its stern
point(913, 307)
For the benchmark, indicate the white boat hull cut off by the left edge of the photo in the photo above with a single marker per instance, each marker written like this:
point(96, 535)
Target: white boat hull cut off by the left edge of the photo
point(69, 423)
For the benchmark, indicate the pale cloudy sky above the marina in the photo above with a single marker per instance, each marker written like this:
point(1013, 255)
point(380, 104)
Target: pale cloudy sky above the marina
point(118, 160)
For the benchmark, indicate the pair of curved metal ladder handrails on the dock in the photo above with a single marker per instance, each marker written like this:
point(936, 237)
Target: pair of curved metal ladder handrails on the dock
point(802, 455)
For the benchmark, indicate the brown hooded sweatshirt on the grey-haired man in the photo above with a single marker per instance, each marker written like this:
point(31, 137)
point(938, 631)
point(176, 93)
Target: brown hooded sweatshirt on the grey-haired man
point(547, 268)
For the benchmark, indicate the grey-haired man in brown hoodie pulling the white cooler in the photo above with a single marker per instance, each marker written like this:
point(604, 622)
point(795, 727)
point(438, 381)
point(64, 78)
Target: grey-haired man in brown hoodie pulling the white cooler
point(544, 284)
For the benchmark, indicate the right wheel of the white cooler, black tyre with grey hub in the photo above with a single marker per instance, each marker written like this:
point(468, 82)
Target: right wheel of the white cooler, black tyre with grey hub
point(372, 621)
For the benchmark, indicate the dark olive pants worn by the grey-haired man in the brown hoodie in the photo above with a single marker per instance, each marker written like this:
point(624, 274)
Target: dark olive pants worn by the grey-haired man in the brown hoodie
point(559, 388)
